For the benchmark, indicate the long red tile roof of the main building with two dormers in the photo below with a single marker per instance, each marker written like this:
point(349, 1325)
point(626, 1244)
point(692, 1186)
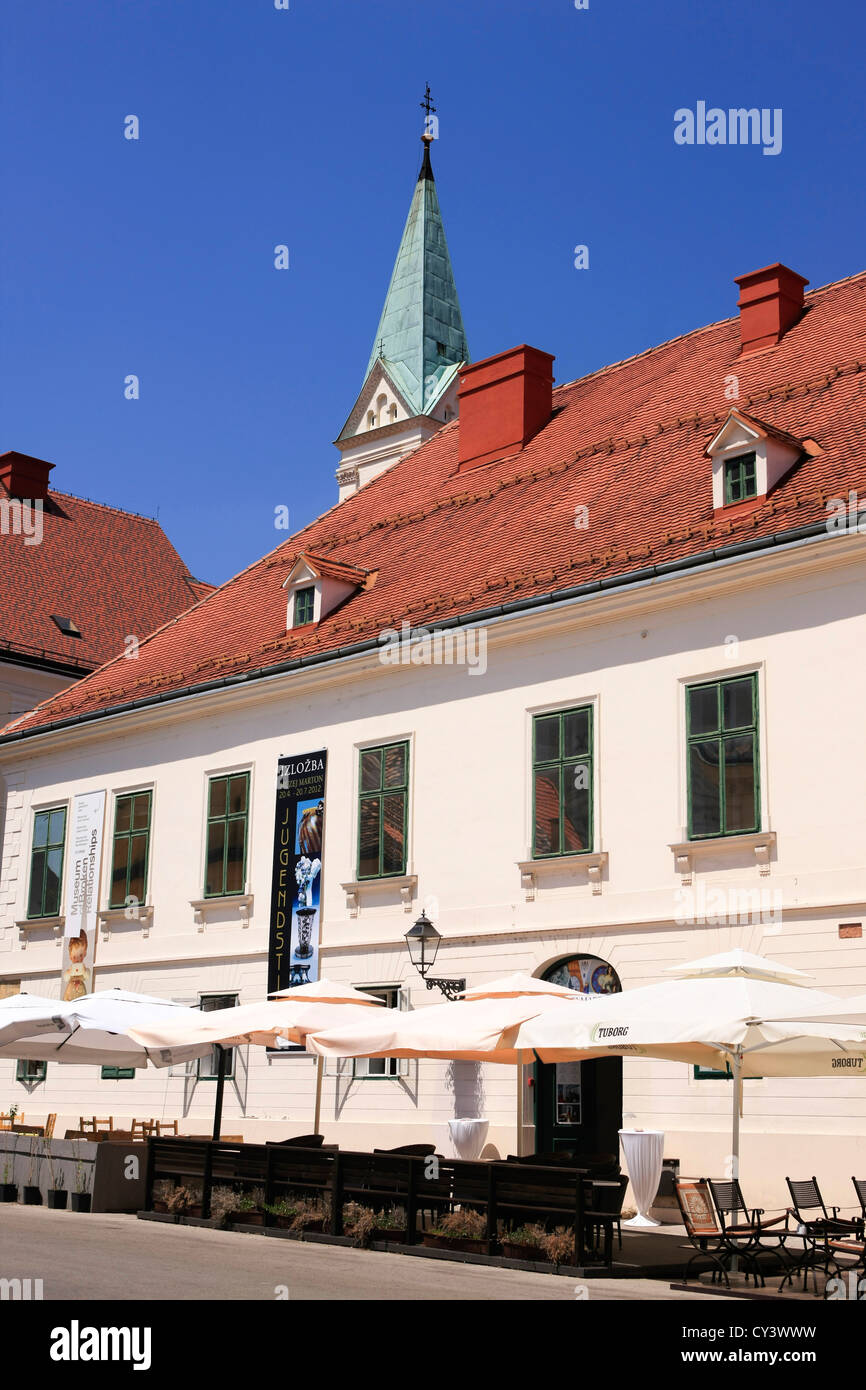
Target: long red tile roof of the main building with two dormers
point(628, 443)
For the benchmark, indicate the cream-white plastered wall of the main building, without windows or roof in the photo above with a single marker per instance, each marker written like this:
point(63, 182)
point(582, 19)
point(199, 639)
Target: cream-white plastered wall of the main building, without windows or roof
point(797, 621)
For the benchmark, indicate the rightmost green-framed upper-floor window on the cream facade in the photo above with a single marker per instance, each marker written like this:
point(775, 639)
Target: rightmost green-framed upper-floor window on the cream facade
point(724, 758)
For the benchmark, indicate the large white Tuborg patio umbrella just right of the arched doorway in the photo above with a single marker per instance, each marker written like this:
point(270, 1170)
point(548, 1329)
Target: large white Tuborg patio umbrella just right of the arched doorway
point(728, 1013)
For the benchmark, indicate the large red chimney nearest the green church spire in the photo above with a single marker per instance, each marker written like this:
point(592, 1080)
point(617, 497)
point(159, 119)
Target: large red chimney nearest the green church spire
point(504, 402)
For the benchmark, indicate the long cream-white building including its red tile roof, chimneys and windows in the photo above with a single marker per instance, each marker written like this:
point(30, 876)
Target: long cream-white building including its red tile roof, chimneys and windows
point(639, 739)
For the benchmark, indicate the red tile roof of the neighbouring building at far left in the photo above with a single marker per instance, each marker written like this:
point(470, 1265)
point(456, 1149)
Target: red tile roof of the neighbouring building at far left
point(113, 573)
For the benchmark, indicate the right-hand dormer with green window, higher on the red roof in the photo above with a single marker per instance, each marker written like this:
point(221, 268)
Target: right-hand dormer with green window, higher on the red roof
point(750, 458)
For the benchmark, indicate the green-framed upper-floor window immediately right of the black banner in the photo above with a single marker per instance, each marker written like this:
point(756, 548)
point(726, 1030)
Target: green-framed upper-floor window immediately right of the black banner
point(383, 812)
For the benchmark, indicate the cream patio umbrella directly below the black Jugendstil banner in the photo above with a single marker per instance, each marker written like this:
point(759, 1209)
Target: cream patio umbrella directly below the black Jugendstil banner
point(272, 1024)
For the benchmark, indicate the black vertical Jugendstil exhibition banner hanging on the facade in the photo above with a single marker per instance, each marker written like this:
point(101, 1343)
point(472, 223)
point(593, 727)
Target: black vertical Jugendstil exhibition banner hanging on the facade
point(298, 869)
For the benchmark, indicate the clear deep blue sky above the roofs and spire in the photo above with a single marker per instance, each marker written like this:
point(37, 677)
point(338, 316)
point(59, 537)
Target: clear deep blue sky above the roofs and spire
point(301, 127)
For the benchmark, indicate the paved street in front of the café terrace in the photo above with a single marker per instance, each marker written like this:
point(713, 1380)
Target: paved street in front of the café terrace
point(123, 1259)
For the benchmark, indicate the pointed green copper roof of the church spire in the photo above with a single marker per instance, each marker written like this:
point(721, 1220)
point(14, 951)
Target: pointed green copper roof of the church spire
point(420, 334)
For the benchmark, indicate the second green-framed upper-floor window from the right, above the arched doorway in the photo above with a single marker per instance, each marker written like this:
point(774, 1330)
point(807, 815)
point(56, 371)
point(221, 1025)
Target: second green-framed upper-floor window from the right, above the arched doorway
point(564, 783)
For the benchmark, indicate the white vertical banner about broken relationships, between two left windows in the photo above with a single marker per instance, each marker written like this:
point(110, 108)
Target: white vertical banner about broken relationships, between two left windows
point(83, 892)
